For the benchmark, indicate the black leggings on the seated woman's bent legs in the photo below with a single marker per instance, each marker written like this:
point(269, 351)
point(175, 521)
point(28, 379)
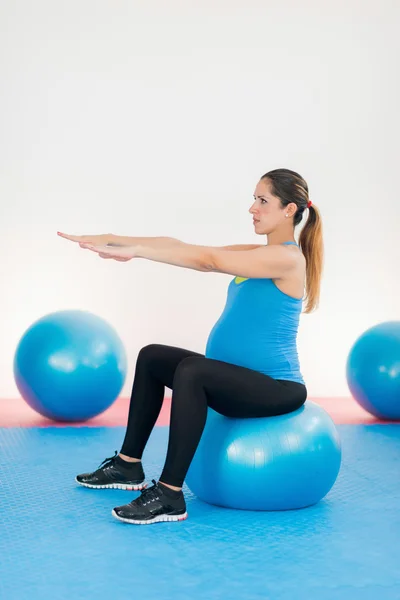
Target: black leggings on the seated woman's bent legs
point(197, 382)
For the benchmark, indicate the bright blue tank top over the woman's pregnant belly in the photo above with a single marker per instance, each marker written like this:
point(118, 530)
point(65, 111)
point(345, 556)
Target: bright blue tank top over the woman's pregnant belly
point(258, 329)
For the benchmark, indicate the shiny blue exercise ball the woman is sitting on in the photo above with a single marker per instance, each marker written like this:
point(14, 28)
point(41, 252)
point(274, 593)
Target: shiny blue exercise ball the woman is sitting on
point(275, 463)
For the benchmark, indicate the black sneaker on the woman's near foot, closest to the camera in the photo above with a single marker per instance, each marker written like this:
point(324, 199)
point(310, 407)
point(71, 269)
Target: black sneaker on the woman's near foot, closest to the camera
point(157, 503)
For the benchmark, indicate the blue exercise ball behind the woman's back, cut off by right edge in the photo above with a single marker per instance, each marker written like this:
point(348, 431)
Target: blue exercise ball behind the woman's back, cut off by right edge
point(373, 370)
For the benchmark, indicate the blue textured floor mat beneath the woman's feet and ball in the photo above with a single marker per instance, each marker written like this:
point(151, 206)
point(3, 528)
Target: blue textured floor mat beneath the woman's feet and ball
point(59, 541)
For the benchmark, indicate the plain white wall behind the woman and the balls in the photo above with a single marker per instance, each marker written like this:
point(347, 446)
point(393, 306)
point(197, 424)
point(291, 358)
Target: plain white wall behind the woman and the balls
point(158, 118)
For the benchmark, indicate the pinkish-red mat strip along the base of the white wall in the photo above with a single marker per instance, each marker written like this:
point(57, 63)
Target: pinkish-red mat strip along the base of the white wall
point(16, 413)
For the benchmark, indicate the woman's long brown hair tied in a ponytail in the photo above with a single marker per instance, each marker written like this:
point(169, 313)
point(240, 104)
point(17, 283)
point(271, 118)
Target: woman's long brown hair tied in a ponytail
point(290, 187)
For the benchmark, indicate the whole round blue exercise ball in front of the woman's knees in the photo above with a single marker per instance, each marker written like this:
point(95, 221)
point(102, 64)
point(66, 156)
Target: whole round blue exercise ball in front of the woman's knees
point(70, 366)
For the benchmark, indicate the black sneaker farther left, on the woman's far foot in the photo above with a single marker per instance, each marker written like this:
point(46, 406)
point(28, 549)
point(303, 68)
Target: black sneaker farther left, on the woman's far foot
point(111, 474)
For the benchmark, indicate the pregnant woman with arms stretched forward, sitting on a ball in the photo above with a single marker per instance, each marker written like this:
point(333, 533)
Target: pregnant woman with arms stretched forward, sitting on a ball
point(250, 367)
